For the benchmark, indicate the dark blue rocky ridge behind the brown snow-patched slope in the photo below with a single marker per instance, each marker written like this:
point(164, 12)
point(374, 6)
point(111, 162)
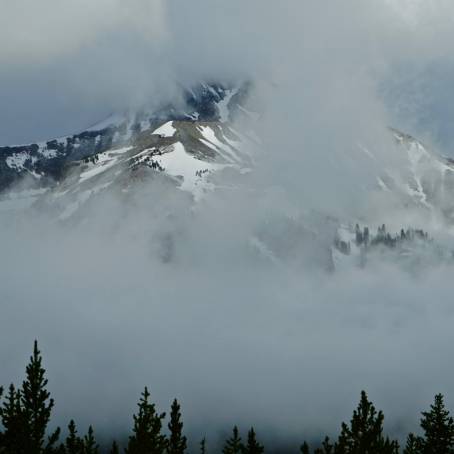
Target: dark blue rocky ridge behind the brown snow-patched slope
point(46, 161)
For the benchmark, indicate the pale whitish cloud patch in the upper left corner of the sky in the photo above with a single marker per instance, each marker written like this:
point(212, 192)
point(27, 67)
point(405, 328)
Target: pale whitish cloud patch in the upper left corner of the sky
point(34, 34)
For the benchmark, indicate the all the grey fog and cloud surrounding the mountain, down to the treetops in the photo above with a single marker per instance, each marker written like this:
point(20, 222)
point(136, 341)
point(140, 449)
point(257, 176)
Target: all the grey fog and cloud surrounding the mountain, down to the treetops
point(152, 290)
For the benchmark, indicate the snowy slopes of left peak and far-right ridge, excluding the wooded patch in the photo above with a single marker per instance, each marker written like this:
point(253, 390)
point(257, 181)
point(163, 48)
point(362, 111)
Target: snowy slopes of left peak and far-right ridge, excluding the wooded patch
point(201, 126)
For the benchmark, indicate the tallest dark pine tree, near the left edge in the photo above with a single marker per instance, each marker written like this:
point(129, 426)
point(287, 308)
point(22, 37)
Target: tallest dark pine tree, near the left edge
point(37, 406)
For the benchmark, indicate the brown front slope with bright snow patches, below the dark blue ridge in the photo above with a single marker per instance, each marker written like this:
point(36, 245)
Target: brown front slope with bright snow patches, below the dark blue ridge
point(184, 152)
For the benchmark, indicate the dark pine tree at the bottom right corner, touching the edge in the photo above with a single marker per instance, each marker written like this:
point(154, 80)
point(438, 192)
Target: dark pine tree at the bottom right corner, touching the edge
point(438, 429)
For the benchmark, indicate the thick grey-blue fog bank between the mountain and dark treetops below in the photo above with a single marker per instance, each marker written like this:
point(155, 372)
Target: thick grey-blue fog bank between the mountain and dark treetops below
point(285, 346)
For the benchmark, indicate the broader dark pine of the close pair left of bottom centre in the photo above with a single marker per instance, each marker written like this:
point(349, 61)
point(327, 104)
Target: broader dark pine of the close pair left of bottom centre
point(147, 437)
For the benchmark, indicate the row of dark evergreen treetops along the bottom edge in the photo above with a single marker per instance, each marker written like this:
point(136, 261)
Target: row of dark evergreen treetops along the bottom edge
point(25, 414)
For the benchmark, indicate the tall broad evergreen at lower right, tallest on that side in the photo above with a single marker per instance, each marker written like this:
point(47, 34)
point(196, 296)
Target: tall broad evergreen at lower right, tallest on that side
point(364, 435)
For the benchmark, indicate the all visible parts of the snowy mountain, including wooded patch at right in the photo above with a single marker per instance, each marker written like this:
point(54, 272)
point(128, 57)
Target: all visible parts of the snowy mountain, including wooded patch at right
point(187, 143)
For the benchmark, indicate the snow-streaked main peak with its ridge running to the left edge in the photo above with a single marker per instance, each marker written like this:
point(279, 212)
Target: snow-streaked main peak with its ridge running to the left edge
point(184, 143)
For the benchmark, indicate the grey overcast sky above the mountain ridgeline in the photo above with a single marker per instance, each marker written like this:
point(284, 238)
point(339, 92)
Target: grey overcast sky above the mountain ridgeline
point(65, 66)
